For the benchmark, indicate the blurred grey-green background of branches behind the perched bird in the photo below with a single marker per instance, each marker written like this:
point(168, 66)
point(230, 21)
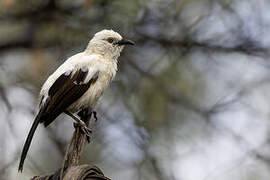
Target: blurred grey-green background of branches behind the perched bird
point(191, 100)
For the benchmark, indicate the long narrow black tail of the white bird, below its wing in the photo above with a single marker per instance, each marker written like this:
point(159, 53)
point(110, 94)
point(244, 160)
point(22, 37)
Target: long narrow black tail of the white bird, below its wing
point(28, 141)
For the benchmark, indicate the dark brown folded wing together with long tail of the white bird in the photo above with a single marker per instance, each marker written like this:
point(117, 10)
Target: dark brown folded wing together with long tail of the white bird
point(68, 88)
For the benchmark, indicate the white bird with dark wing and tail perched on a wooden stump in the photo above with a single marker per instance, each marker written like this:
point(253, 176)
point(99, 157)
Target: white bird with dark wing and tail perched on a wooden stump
point(77, 84)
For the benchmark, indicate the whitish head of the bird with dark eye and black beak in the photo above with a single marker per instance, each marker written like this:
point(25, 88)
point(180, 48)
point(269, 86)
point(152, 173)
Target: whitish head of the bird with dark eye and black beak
point(108, 44)
